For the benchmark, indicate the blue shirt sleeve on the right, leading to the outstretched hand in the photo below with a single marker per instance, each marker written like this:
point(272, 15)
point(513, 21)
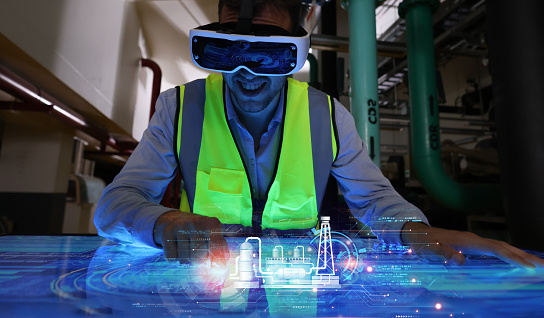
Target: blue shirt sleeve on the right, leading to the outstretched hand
point(369, 195)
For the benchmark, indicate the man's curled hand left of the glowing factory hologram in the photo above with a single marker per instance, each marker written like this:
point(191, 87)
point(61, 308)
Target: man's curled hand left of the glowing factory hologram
point(190, 237)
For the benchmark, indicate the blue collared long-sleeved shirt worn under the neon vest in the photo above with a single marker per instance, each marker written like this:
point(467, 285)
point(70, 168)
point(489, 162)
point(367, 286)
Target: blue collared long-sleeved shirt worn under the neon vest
point(129, 207)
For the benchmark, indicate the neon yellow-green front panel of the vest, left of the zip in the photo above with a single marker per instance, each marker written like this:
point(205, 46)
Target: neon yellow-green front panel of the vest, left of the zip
point(222, 187)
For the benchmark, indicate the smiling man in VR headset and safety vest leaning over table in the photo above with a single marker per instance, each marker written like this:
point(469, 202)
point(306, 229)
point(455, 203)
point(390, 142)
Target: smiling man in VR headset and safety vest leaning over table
point(255, 149)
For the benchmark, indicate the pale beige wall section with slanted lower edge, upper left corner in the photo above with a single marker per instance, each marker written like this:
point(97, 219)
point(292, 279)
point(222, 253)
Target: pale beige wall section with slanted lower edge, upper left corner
point(92, 46)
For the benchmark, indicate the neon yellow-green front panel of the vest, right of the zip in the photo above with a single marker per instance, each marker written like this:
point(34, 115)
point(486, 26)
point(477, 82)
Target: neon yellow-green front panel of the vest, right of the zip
point(291, 202)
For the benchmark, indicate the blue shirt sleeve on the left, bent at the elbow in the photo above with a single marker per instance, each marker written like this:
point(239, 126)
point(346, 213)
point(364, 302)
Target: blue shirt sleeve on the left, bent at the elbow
point(129, 206)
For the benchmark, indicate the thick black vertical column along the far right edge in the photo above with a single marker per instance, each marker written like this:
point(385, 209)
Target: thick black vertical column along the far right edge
point(515, 35)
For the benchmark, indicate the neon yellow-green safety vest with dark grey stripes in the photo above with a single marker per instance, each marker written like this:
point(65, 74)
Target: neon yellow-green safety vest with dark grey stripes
point(215, 180)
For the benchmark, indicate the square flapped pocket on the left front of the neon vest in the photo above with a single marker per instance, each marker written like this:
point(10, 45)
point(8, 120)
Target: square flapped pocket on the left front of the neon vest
point(219, 194)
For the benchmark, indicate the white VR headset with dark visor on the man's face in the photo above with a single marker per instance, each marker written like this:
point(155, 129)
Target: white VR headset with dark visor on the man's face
point(261, 49)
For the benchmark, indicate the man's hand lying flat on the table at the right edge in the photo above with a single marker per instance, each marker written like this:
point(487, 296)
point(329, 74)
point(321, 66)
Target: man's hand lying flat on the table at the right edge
point(434, 243)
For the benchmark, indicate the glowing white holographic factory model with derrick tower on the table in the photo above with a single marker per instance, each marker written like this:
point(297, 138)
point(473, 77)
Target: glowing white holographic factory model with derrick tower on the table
point(280, 271)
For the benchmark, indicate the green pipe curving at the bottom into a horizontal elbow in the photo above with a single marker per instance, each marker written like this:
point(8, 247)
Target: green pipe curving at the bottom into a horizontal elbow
point(425, 128)
